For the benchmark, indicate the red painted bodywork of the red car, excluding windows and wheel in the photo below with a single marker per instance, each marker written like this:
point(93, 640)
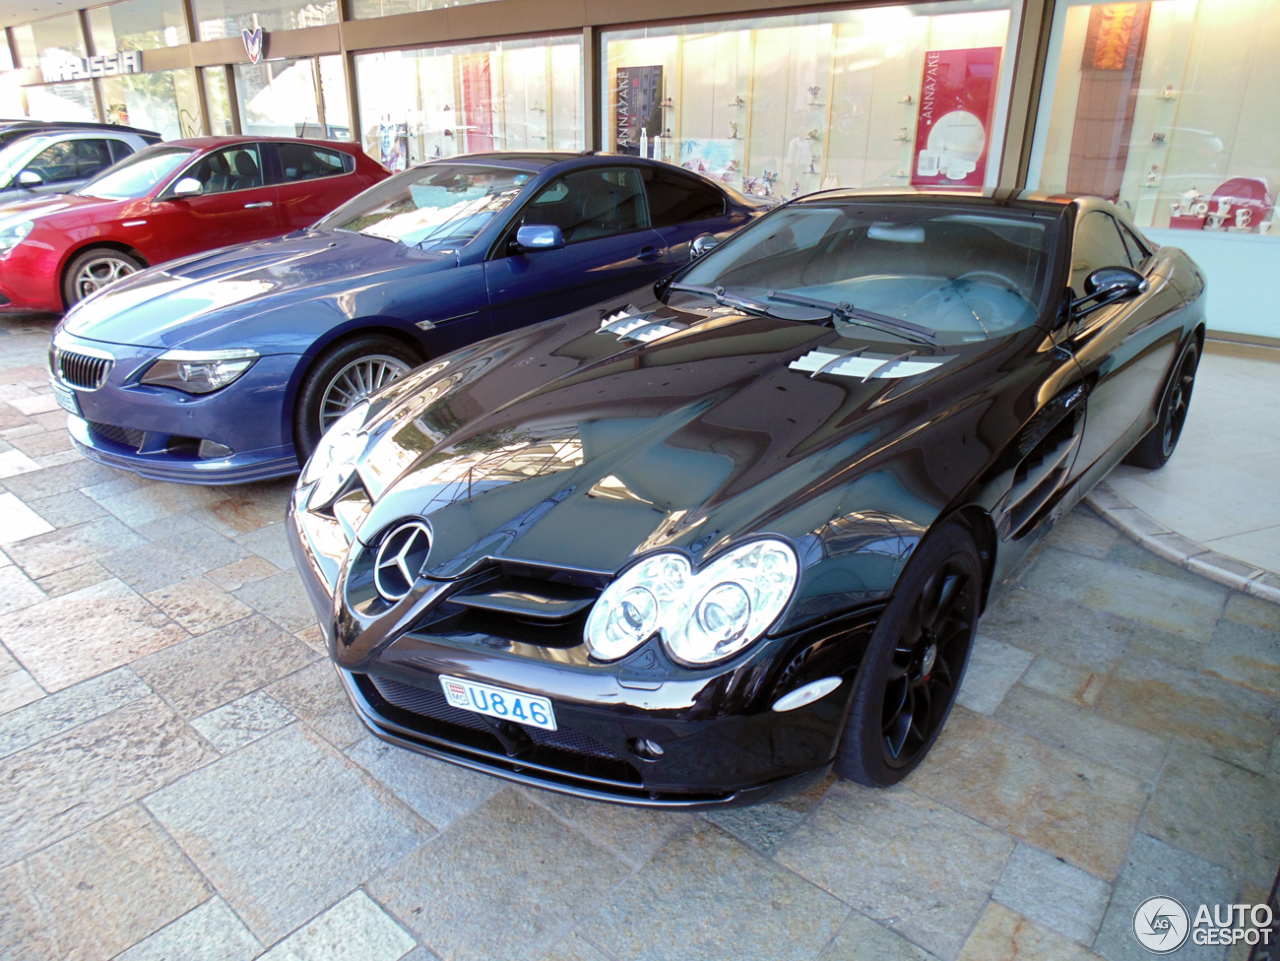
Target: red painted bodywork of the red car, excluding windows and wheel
point(157, 231)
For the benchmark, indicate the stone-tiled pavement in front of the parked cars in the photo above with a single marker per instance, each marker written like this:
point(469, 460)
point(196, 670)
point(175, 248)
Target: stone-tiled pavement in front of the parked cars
point(181, 777)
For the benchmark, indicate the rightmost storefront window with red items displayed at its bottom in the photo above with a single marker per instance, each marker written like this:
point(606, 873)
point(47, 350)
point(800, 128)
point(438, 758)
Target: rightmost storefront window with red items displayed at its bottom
point(1165, 107)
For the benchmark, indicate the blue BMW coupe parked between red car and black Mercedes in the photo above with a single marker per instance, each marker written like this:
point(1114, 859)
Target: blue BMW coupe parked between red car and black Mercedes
point(228, 367)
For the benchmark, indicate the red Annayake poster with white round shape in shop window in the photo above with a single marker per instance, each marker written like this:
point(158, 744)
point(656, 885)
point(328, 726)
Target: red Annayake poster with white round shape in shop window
point(953, 127)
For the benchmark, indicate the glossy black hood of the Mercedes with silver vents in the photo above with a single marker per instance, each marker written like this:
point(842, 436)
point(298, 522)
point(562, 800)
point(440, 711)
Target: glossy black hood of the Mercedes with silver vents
point(570, 447)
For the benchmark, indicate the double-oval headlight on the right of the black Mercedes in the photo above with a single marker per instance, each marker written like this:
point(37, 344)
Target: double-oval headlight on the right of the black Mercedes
point(703, 617)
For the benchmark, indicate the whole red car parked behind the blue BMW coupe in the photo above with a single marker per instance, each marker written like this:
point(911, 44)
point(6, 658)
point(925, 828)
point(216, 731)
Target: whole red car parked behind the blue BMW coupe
point(170, 202)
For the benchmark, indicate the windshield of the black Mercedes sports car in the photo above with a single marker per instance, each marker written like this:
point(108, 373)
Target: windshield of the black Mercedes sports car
point(963, 274)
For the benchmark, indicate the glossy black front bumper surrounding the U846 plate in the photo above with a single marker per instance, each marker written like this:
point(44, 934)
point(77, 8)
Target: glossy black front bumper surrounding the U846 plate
point(721, 743)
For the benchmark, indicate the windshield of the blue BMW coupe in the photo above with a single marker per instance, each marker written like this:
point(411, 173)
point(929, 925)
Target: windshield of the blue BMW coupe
point(432, 208)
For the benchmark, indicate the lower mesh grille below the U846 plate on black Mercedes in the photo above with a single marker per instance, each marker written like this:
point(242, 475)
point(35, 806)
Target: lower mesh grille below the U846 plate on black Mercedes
point(564, 749)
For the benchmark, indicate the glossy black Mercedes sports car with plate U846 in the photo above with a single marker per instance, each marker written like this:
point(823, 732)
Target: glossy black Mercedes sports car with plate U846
point(701, 544)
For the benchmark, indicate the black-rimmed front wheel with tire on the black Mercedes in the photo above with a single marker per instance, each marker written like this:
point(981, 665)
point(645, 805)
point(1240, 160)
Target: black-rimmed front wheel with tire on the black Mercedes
point(915, 663)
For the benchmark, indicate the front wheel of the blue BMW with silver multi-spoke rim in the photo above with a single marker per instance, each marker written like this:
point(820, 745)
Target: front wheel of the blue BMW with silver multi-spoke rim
point(341, 378)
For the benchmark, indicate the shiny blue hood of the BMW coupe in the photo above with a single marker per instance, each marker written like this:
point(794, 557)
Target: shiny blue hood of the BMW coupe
point(186, 300)
